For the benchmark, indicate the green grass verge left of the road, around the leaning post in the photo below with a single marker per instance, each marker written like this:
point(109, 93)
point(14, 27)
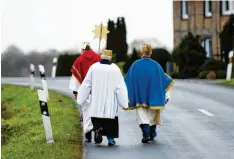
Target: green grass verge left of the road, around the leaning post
point(24, 131)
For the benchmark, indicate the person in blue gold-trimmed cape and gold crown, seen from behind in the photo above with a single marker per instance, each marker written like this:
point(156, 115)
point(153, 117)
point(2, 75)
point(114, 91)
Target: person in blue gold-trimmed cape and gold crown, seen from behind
point(147, 86)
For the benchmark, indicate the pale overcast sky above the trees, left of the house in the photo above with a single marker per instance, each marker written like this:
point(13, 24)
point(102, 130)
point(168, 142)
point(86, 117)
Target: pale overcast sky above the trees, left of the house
point(64, 24)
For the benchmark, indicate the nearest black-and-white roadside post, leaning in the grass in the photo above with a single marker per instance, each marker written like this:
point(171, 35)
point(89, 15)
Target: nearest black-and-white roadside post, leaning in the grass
point(45, 116)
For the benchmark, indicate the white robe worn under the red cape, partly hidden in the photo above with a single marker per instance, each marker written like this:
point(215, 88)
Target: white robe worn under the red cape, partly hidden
point(87, 124)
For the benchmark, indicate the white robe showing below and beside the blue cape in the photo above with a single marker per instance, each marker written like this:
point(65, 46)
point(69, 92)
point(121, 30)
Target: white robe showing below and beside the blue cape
point(147, 116)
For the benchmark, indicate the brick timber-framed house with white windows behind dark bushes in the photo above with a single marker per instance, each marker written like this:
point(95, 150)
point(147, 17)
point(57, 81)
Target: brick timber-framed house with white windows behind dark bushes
point(203, 18)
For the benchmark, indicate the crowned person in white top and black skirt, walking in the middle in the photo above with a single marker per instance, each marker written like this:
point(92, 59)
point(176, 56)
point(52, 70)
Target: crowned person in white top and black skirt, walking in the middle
point(108, 90)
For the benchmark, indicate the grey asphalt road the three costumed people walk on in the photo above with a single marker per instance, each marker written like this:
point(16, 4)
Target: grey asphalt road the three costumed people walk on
point(198, 123)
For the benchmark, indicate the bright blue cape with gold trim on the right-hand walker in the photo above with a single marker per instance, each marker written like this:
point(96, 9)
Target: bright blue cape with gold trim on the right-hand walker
point(147, 84)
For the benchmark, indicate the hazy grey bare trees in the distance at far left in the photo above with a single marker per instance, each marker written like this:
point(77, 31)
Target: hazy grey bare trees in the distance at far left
point(16, 64)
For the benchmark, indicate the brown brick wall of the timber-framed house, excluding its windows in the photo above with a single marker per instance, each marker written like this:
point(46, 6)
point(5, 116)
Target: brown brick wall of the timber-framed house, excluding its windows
point(198, 24)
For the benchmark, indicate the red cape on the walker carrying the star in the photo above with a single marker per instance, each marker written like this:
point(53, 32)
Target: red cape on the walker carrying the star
point(81, 65)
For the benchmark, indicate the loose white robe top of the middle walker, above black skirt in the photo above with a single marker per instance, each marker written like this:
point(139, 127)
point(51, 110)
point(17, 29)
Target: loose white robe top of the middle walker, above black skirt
point(108, 90)
